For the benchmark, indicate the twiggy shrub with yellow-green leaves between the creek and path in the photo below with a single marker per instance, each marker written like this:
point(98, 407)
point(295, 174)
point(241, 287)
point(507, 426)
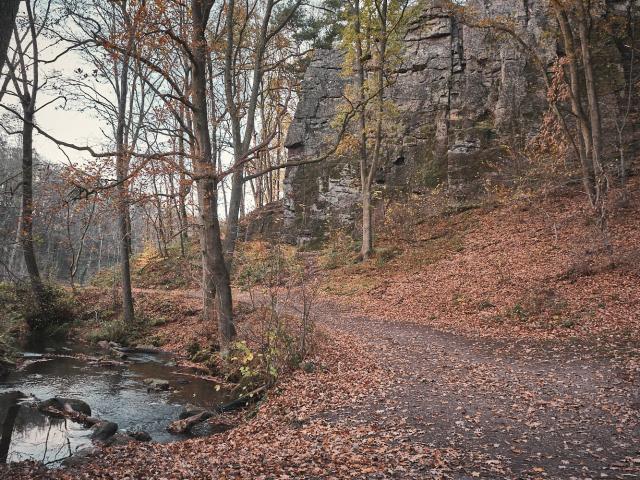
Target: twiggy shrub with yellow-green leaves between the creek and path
point(276, 334)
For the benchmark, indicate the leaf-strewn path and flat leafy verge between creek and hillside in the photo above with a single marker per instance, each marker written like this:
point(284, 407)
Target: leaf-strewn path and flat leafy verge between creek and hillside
point(400, 400)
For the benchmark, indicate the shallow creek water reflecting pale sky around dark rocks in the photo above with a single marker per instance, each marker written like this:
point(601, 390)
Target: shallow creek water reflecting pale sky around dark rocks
point(114, 393)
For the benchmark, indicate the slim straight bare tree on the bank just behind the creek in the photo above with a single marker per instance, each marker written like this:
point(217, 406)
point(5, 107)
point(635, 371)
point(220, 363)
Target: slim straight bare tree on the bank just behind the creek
point(117, 91)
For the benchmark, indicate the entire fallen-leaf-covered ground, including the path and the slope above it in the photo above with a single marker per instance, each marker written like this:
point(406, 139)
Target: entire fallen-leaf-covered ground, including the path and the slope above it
point(495, 343)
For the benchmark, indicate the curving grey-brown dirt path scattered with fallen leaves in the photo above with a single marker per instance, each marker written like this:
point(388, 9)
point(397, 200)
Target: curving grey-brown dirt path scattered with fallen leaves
point(510, 411)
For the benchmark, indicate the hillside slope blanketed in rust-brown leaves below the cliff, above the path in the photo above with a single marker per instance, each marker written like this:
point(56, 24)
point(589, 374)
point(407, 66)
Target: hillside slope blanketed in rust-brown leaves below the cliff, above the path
point(536, 269)
